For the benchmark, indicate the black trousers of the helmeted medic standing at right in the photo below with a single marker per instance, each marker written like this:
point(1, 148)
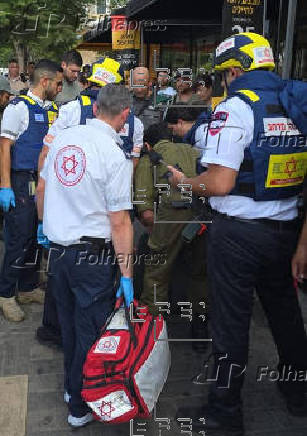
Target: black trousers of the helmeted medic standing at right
point(243, 257)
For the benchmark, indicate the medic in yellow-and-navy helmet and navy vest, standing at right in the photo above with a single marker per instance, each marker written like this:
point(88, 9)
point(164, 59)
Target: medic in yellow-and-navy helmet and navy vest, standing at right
point(254, 176)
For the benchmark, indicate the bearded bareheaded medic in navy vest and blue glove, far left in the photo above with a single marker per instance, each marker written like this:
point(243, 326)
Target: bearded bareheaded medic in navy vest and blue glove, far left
point(25, 122)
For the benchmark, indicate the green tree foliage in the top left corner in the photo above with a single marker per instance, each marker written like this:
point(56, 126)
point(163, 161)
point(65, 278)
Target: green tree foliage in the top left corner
point(37, 28)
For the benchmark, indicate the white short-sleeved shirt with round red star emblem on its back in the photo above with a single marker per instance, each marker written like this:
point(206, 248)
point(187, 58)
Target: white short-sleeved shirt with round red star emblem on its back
point(86, 177)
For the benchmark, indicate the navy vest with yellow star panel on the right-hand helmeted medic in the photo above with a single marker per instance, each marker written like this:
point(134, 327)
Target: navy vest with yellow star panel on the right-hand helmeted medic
point(275, 162)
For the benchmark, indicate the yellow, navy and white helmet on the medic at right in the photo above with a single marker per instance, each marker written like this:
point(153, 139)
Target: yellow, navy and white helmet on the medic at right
point(248, 51)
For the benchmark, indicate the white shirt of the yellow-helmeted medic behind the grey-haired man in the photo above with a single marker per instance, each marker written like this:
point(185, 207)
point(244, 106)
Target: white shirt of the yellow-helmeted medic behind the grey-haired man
point(70, 115)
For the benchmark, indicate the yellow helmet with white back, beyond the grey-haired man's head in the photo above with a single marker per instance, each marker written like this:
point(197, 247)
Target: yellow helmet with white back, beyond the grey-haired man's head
point(106, 71)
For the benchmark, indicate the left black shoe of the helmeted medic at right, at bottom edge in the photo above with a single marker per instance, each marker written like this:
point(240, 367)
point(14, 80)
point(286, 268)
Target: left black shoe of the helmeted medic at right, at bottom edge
point(204, 420)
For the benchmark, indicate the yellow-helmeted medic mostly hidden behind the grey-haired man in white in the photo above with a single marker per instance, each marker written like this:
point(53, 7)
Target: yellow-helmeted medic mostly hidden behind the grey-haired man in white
point(79, 112)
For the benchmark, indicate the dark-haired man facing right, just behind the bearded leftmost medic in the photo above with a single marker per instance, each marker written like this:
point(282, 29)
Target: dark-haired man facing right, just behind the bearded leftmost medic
point(71, 64)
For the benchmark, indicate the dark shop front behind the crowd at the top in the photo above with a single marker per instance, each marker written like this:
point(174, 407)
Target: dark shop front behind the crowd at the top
point(177, 34)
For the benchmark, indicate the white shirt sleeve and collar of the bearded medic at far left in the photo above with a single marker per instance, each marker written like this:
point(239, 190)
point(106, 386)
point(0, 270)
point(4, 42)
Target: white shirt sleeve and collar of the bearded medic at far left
point(16, 117)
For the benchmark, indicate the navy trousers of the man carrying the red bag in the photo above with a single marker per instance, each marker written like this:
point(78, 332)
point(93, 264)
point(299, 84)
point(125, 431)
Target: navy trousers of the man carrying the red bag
point(84, 292)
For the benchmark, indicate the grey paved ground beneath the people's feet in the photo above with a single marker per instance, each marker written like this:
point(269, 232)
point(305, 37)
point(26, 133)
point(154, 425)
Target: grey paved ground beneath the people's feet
point(20, 354)
